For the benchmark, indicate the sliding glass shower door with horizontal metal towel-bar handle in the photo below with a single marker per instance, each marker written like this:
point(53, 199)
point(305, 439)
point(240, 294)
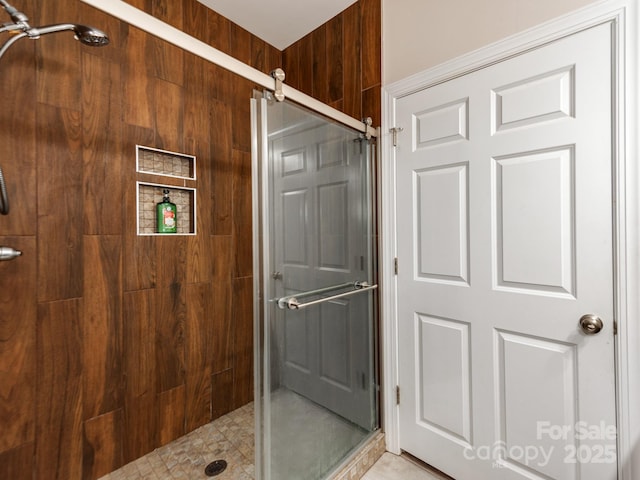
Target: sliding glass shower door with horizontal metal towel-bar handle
point(315, 283)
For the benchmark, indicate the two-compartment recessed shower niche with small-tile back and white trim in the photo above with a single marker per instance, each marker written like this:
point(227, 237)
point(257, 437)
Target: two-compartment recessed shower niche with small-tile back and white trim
point(158, 171)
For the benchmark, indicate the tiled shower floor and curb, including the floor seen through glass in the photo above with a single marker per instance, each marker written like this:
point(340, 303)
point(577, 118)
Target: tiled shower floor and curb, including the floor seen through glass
point(231, 438)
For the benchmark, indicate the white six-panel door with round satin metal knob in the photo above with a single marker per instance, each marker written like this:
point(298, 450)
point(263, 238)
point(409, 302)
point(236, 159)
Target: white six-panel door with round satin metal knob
point(504, 208)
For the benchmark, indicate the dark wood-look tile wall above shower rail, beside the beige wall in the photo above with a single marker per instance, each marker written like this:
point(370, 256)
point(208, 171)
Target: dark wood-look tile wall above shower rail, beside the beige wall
point(340, 62)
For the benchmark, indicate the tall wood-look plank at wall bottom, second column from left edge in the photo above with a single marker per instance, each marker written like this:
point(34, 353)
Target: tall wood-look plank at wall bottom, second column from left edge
point(59, 394)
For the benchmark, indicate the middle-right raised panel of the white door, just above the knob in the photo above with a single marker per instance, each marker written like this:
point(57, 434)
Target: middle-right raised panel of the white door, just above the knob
point(535, 247)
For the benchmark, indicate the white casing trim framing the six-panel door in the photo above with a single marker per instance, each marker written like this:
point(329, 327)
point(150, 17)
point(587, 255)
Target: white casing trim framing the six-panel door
point(624, 16)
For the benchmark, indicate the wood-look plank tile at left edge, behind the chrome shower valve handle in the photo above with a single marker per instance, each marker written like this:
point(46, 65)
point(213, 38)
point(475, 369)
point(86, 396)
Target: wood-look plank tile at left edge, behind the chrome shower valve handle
point(18, 316)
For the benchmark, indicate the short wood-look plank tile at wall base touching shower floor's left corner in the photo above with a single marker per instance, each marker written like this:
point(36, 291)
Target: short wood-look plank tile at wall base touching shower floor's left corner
point(102, 445)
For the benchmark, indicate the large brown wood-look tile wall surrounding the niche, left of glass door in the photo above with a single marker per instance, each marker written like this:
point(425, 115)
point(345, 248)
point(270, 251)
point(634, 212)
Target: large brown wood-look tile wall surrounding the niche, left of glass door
point(113, 344)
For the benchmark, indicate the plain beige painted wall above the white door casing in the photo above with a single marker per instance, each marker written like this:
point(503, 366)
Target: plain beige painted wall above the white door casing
point(419, 34)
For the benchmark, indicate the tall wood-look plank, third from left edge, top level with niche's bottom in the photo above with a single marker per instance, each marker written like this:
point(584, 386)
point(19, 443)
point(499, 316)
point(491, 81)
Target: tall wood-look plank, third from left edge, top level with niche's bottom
point(102, 336)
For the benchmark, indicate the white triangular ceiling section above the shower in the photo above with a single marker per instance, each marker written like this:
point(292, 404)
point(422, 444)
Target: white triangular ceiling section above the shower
point(278, 22)
